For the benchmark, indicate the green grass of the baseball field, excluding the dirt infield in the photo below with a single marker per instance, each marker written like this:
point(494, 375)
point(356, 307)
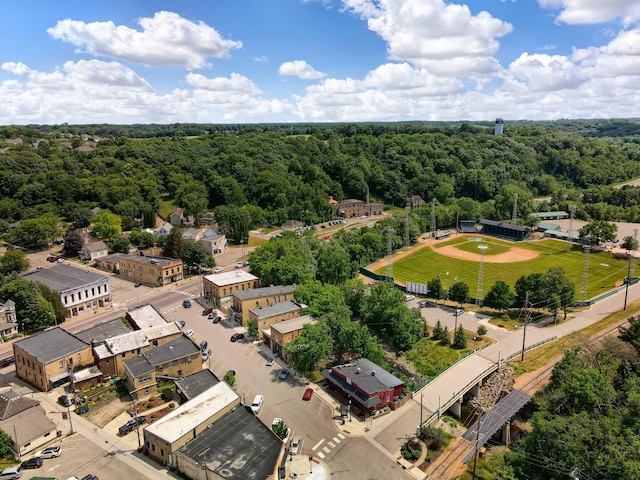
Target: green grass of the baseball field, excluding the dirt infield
point(604, 270)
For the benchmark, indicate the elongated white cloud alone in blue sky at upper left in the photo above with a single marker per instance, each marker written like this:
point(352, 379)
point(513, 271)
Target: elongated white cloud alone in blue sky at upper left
point(165, 39)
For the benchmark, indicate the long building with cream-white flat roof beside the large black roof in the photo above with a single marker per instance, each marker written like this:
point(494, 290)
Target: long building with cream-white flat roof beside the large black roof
point(188, 422)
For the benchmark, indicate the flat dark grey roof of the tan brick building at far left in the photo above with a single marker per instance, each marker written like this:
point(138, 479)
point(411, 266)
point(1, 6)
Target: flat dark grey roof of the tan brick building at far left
point(51, 344)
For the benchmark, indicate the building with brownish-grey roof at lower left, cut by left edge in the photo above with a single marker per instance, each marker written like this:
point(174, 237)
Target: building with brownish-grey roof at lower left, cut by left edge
point(25, 421)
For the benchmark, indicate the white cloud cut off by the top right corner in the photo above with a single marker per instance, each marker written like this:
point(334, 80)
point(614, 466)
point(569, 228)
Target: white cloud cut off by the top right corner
point(594, 11)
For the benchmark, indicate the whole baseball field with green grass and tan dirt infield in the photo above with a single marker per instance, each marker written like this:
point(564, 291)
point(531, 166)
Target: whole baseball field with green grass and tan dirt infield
point(459, 259)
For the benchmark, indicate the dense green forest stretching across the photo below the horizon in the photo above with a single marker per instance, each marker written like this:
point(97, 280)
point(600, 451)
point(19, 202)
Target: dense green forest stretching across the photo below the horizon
point(279, 172)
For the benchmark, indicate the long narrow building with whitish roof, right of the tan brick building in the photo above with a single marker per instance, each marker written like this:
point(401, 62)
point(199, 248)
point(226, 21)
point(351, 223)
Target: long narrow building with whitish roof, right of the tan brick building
point(111, 355)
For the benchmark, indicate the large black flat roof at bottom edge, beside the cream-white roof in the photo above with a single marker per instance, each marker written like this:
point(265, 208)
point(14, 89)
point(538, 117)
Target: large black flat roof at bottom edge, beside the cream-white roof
point(238, 445)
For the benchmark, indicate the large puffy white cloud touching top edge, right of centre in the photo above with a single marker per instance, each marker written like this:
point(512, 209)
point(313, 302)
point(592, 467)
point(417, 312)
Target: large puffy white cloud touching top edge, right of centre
point(443, 38)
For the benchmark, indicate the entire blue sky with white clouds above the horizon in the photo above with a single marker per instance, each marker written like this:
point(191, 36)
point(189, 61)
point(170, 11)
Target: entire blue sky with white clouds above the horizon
point(248, 61)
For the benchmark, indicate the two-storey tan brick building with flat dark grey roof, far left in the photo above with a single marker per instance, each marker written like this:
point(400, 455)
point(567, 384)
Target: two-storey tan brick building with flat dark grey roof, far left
point(47, 359)
